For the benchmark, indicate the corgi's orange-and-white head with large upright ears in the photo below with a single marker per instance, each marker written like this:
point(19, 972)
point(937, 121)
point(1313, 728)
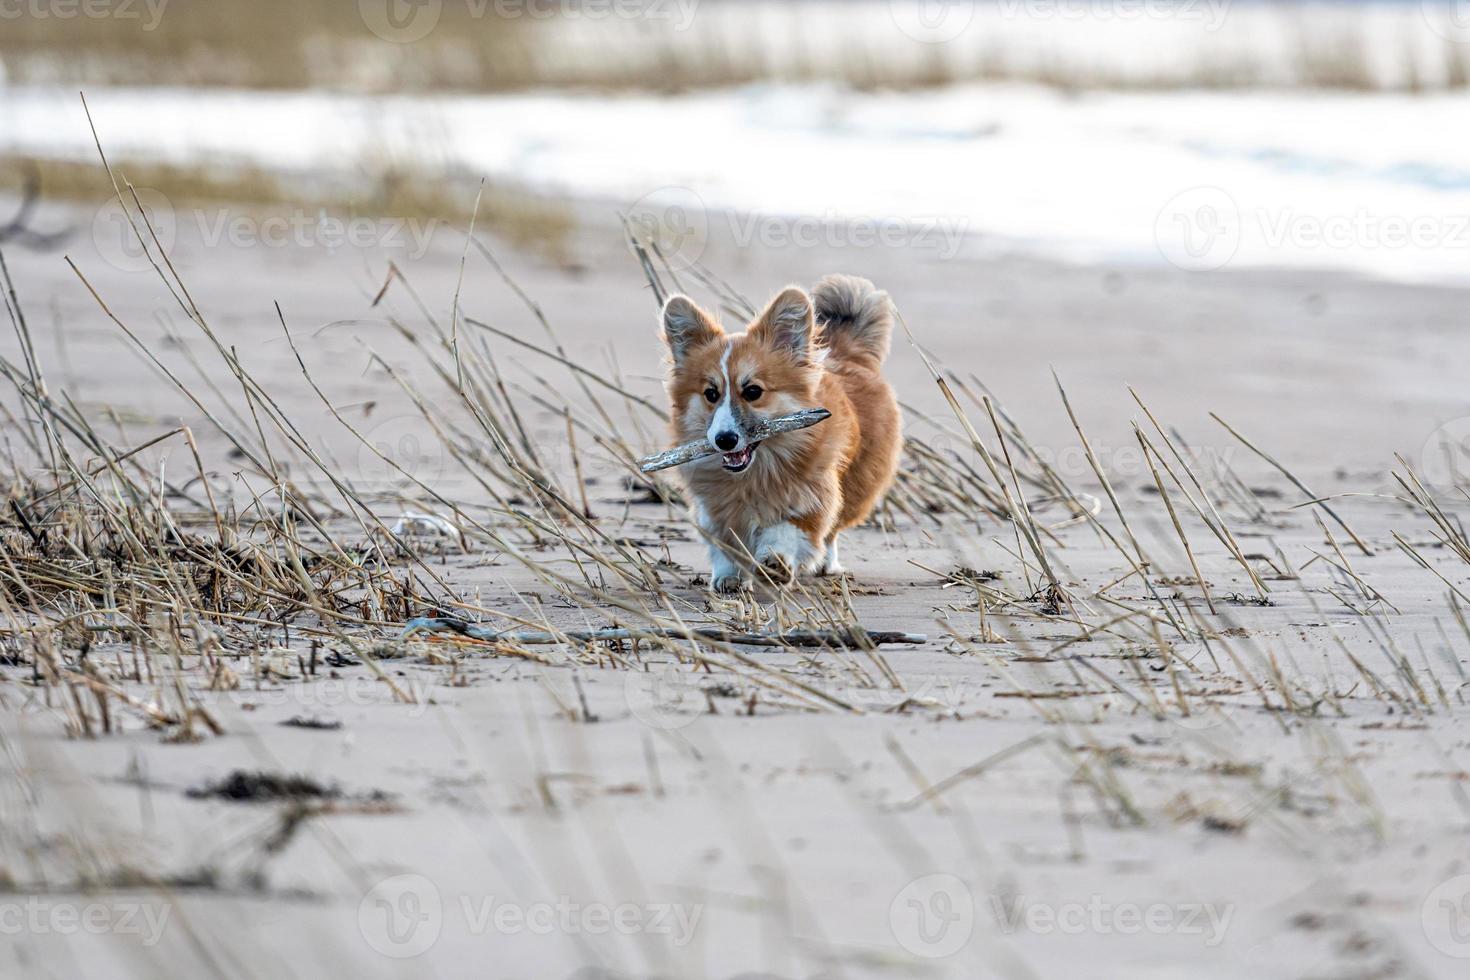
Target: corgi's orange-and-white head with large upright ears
point(721, 383)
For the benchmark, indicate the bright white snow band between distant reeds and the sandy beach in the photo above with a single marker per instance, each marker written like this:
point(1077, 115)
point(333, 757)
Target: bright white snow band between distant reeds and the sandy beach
point(1378, 184)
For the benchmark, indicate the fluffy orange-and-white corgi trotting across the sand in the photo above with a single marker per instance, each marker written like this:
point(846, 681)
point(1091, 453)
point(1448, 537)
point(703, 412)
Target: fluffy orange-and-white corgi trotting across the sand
point(784, 500)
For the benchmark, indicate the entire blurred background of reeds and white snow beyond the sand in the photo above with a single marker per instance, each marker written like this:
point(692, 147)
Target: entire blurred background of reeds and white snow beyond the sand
point(1200, 133)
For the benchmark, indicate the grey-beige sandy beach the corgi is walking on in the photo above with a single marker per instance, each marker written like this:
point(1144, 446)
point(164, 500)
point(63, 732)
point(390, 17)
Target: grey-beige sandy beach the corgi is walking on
point(1119, 782)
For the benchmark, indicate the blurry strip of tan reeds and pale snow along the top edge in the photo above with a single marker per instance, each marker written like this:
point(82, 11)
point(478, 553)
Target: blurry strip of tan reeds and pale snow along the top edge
point(677, 46)
